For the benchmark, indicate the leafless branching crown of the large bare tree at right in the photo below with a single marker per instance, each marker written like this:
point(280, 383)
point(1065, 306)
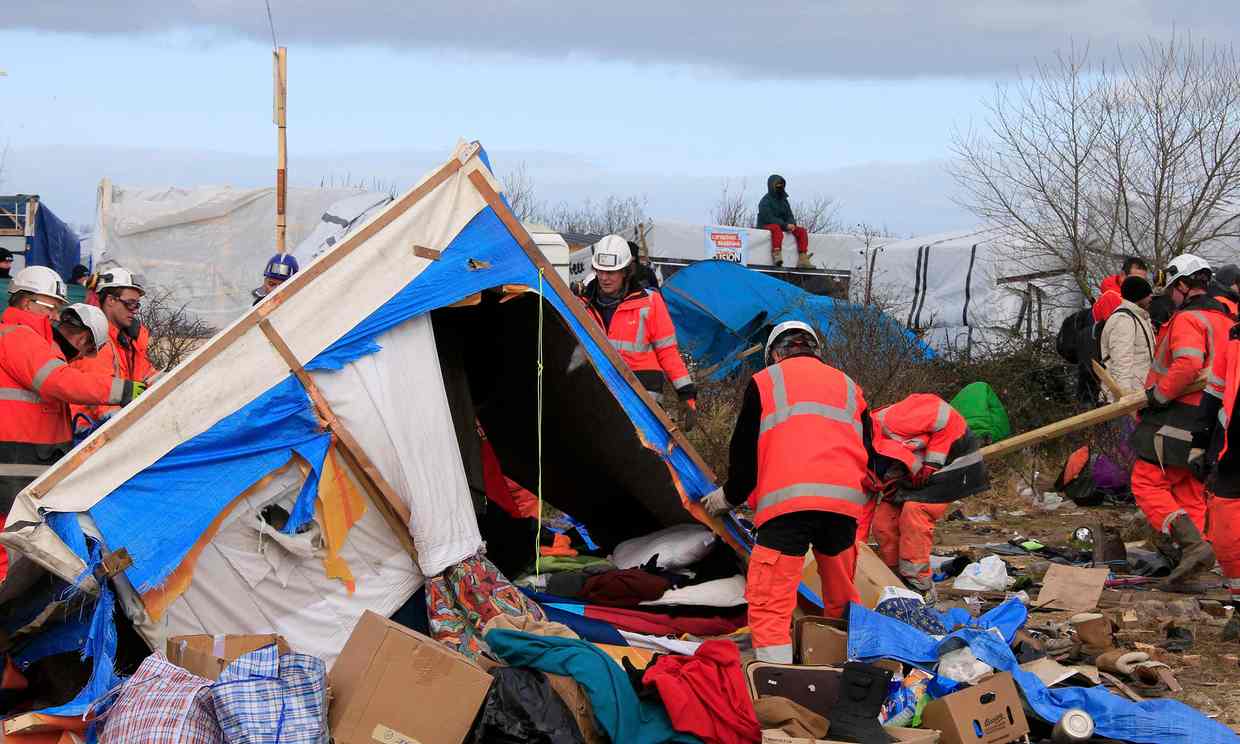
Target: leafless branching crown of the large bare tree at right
point(1083, 164)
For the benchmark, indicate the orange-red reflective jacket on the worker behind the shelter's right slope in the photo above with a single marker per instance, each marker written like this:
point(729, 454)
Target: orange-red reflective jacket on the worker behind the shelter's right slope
point(642, 330)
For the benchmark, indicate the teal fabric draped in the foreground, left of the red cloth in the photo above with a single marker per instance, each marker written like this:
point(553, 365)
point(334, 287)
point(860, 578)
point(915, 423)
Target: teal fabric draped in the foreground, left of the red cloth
point(622, 715)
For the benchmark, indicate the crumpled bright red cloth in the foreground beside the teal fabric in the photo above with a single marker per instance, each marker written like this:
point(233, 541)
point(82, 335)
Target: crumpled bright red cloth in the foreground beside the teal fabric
point(706, 695)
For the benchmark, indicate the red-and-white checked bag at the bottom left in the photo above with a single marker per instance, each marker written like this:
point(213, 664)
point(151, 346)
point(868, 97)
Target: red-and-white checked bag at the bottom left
point(162, 704)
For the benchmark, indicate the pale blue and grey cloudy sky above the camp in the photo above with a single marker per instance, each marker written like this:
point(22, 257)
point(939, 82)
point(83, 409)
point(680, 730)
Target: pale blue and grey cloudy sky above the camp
point(851, 99)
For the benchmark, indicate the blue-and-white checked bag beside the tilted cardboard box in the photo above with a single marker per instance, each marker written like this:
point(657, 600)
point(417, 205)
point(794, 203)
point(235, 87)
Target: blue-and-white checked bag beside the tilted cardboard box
point(265, 697)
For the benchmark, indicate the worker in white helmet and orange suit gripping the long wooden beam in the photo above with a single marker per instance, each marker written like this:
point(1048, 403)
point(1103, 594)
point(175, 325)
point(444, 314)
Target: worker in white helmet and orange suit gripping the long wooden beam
point(1172, 432)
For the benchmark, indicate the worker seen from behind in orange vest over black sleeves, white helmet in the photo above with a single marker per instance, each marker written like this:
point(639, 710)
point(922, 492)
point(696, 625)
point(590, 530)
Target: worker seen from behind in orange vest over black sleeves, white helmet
point(800, 454)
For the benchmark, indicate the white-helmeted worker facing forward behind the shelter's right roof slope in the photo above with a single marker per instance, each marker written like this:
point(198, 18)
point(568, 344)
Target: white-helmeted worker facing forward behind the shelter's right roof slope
point(638, 324)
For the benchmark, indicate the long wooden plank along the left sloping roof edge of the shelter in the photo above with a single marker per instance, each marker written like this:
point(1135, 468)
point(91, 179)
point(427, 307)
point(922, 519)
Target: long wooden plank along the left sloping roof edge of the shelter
point(142, 406)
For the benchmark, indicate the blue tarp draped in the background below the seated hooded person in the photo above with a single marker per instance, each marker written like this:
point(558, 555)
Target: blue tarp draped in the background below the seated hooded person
point(721, 309)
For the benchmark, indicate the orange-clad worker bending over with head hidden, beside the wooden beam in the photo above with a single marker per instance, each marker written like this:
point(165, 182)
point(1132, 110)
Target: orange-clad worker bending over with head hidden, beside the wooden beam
point(934, 462)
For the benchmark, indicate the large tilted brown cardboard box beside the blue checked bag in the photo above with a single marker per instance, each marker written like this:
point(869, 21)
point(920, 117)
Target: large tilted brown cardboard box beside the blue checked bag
point(397, 686)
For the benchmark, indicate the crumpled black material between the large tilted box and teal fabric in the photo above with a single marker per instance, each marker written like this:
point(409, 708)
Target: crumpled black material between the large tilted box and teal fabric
point(521, 707)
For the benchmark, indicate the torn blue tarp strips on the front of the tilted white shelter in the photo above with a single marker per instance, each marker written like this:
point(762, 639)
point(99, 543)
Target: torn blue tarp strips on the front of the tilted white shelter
point(159, 514)
